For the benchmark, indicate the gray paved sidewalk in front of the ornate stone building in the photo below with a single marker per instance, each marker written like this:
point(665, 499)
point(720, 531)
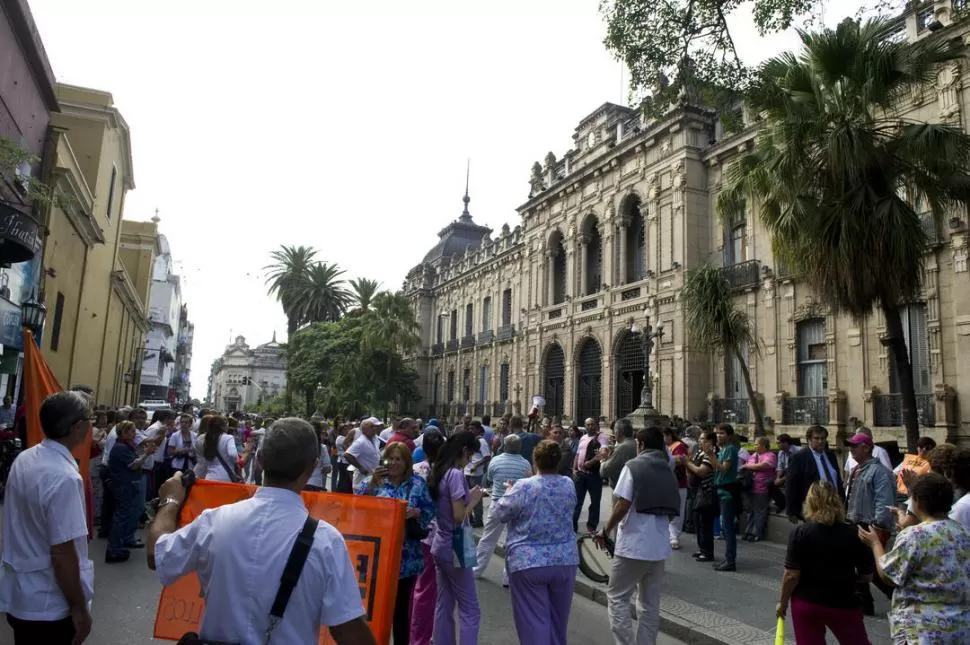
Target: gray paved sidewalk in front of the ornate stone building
point(703, 607)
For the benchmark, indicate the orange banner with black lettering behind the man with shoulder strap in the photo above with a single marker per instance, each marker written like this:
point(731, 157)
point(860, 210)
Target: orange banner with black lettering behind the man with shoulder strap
point(373, 529)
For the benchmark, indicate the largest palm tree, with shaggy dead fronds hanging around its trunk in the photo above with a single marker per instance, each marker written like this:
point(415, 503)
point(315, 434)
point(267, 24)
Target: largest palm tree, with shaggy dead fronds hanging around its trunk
point(837, 171)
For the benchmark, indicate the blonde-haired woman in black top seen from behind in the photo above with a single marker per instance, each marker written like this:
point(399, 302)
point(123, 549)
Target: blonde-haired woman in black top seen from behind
point(824, 561)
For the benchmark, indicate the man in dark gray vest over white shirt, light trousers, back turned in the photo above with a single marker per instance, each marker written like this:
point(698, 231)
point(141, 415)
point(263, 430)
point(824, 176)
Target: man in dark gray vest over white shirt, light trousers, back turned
point(646, 498)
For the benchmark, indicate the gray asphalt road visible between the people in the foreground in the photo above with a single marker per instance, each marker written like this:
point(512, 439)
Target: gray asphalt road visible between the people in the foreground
point(126, 598)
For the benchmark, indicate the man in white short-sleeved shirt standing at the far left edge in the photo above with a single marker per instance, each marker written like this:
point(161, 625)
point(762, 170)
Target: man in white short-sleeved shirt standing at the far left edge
point(47, 580)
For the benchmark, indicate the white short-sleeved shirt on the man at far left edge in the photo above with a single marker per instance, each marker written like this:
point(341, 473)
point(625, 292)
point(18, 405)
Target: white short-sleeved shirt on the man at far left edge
point(44, 506)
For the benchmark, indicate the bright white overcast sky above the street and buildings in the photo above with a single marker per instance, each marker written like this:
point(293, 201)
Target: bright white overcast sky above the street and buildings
point(345, 126)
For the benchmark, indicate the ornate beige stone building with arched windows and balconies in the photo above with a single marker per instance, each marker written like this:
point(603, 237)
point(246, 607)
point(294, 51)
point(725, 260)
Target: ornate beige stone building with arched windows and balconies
point(557, 306)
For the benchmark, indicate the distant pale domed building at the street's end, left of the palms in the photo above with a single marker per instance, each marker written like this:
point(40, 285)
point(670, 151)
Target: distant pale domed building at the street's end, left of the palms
point(244, 376)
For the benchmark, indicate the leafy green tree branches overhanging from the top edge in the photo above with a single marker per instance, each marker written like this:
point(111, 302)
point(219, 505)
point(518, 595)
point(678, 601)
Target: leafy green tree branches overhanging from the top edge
point(679, 50)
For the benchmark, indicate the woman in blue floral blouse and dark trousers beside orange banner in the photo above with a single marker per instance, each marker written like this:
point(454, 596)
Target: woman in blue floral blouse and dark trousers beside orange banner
point(395, 478)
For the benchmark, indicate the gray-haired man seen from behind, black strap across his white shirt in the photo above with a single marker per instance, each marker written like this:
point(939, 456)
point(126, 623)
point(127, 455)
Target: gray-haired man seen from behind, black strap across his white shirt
point(262, 531)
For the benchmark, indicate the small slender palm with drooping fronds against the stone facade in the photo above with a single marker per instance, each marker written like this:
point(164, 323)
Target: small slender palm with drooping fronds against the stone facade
point(714, 325)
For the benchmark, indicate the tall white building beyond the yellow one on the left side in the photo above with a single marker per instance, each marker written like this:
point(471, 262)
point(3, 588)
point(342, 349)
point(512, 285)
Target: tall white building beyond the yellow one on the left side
point(158, 373)
